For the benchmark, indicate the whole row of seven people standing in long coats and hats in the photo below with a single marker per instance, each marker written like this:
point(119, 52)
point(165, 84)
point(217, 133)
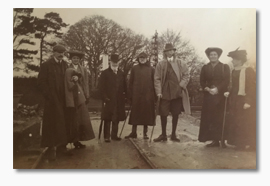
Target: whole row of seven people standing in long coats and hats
point(150, 91)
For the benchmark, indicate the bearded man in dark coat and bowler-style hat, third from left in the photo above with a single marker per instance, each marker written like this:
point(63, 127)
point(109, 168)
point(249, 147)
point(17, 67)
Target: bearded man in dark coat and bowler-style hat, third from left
point(112, 86)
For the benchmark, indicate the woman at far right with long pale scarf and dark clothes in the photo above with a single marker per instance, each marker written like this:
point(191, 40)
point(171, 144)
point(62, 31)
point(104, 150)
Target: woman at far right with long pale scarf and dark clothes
point(242, 108)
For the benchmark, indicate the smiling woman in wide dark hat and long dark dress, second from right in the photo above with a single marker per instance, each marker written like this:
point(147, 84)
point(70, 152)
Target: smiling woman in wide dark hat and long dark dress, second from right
point(214, 80)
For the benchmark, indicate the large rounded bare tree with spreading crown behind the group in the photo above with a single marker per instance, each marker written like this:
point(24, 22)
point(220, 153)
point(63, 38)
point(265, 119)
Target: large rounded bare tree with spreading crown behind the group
point(96, 35)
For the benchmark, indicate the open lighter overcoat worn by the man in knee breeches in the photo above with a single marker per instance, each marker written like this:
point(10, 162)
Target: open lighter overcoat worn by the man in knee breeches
point(183, 76)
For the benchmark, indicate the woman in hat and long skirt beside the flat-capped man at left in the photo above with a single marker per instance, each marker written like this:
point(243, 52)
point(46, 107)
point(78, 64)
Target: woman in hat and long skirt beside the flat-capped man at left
point(79, 127)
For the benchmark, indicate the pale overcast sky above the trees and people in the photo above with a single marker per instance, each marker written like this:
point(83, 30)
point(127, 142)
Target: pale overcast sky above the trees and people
point(224, 28)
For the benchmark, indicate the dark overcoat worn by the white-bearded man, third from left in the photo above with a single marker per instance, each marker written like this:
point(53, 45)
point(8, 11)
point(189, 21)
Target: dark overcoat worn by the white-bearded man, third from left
point(112, 88)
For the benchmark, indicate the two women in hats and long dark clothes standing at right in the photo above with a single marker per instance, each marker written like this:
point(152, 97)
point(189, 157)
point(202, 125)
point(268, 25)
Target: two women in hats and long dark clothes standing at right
point(229, 103)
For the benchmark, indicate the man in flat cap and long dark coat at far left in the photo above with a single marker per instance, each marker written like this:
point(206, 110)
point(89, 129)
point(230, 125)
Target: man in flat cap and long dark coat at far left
point(51, 83)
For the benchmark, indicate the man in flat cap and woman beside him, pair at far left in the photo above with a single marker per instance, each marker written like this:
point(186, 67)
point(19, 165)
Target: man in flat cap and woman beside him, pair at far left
point(66, 92)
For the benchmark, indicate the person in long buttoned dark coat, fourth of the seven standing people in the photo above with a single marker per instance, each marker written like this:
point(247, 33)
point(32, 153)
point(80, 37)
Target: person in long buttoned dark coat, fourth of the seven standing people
point(142, 95)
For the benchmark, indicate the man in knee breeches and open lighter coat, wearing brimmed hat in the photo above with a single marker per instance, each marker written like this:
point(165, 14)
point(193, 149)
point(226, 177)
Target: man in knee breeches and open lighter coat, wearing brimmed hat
point(171, 78)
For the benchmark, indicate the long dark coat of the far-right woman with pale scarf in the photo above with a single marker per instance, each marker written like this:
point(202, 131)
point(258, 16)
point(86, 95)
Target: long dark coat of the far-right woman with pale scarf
point(242, 122)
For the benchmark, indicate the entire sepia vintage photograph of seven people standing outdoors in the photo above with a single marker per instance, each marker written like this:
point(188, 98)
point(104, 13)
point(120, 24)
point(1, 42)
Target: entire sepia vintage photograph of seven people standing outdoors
point(134, 88)
